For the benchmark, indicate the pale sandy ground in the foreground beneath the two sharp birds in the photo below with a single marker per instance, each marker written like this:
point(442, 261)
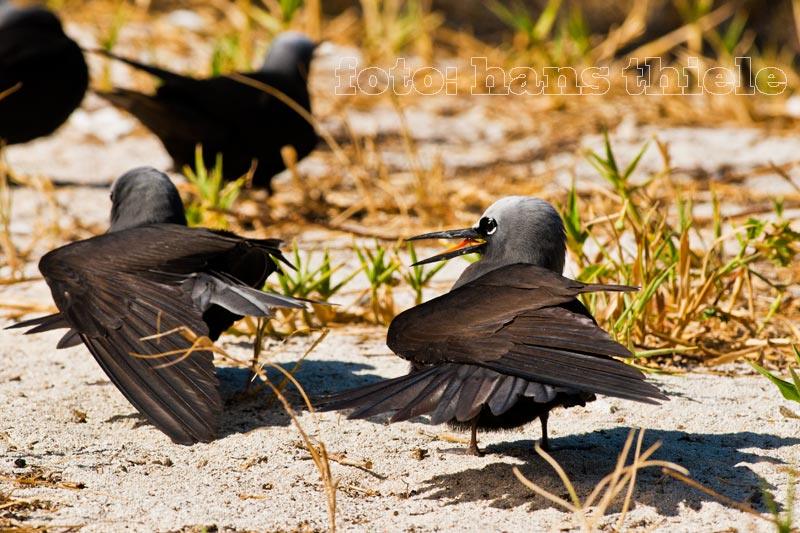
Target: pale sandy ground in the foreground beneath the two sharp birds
point(258, 476)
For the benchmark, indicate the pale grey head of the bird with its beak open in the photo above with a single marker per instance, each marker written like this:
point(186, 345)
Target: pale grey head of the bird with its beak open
point(514, 229)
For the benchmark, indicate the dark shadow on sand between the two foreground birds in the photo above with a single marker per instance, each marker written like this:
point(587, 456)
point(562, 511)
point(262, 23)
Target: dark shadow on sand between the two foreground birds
point(253, 406)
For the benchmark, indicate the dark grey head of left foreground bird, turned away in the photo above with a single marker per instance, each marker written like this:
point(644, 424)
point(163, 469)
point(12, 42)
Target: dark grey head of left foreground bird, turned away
point(144, 196)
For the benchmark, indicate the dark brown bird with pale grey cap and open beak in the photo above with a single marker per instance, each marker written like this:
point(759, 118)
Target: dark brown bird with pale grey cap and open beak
point(509, 342)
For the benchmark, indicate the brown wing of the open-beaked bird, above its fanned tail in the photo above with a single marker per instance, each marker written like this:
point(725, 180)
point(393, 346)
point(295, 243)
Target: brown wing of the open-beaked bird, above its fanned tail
point(523, 321)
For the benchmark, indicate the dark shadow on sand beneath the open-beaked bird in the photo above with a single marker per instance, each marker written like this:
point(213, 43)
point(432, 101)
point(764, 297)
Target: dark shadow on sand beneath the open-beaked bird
point(714, 460)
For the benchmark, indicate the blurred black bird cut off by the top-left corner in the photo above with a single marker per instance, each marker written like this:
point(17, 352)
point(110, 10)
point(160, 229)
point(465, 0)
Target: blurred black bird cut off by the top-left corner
point(43, 74)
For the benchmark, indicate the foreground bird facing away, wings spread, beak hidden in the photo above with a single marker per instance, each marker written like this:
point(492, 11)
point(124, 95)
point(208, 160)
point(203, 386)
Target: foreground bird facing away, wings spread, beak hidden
point(133, 294)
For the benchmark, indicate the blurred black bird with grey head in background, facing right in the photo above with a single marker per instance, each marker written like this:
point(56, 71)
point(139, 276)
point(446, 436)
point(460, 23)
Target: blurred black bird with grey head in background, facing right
point(243, 123)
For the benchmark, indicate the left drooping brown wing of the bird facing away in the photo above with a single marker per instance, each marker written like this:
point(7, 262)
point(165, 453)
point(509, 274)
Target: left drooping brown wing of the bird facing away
point(103, 294)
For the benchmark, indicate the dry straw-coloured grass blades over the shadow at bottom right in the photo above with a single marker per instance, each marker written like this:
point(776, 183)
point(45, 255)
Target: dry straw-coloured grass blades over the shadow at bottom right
point(621, 478)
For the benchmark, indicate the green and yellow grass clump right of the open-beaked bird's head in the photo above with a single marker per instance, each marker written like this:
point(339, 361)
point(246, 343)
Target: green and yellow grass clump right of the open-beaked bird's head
point(701, 288)
